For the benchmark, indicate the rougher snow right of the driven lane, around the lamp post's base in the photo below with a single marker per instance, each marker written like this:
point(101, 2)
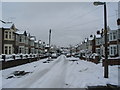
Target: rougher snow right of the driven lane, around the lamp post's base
point(82, 74)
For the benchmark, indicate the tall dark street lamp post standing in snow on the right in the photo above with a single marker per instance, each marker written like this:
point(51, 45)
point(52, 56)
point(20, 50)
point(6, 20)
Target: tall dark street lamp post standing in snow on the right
point(105, 32)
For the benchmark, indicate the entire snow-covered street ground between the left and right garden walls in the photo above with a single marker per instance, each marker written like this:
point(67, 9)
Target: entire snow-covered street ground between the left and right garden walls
point(60, 73)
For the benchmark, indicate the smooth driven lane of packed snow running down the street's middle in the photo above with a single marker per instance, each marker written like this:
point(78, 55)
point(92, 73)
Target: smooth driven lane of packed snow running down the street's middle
point(41, 77)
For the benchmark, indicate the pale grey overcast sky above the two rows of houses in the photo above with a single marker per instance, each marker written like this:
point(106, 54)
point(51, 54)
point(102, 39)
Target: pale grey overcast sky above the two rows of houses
point(70, 22)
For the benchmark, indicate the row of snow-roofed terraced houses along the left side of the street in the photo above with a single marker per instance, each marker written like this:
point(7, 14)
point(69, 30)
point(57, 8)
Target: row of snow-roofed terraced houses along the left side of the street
point(15, 41)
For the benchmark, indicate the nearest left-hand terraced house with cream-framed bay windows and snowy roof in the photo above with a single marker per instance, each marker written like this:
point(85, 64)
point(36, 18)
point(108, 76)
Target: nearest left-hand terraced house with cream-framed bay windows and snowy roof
point(7, 32)
